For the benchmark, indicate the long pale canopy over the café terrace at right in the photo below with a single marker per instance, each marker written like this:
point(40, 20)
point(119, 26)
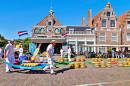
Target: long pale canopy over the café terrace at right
point(83, 45)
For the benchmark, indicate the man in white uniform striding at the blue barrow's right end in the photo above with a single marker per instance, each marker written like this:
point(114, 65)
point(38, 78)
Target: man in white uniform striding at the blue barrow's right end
point(50, 53)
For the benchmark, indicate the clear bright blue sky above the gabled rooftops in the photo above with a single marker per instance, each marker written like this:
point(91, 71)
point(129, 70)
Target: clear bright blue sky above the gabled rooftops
point(19, 15)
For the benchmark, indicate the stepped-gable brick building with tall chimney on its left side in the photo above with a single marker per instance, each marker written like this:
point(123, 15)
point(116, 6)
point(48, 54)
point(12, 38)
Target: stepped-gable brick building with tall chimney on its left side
point(107, 27)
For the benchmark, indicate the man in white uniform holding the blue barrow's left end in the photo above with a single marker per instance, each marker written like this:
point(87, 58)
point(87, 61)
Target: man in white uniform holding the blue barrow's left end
point(9, 54)
